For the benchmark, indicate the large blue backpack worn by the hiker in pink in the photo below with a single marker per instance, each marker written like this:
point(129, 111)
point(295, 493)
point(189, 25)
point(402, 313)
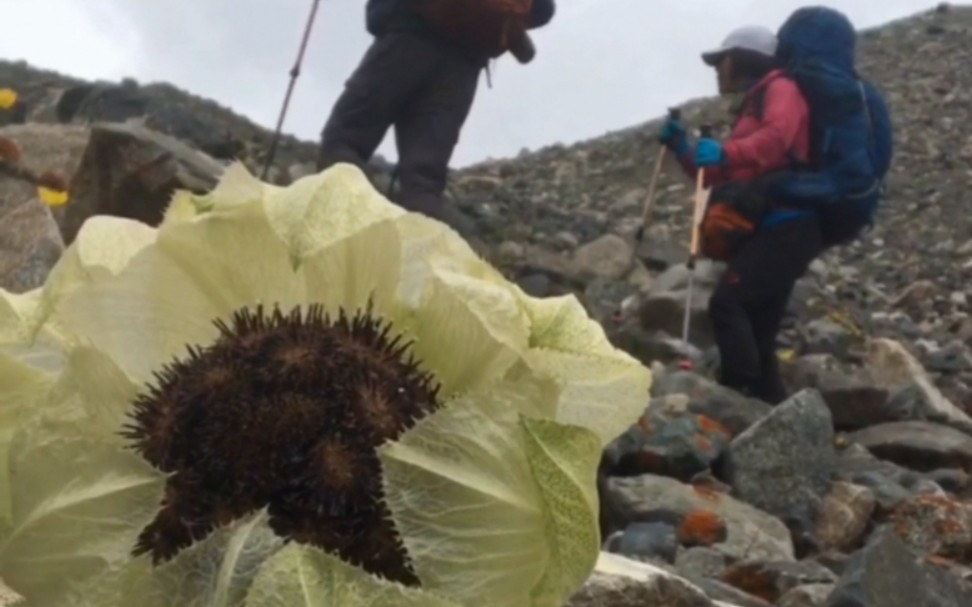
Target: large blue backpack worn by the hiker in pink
point(850, 126)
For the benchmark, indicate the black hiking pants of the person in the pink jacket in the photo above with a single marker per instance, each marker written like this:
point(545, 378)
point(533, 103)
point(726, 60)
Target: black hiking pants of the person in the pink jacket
point(750, 301)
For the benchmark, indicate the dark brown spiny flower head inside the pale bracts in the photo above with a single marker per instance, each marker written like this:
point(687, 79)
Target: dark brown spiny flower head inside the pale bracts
point(283, 411)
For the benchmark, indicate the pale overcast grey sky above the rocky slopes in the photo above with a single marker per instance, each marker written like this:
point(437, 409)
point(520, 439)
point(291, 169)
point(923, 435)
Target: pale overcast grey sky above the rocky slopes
point(601, 64)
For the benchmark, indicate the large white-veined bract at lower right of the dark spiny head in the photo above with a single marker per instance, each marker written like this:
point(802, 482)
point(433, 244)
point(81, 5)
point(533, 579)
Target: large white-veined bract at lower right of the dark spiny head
point(470, 492)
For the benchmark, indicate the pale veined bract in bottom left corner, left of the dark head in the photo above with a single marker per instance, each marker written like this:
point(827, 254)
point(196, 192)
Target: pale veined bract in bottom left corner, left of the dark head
point(78, 507)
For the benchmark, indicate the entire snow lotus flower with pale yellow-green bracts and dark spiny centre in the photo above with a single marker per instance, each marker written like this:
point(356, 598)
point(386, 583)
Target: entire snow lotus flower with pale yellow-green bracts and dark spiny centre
point(304, 395)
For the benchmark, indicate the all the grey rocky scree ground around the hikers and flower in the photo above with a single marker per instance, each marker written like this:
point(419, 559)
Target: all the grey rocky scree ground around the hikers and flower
point(855, 492)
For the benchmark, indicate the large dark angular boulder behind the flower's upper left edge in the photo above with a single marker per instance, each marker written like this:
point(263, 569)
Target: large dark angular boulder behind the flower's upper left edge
point(130, 171)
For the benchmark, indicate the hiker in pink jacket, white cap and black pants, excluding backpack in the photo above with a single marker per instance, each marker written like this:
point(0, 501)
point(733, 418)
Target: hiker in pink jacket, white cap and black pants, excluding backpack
point(771, 131)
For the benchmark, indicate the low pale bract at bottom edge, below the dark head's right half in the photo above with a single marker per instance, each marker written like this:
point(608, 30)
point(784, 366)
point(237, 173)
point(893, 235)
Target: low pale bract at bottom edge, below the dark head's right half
point(300, 576)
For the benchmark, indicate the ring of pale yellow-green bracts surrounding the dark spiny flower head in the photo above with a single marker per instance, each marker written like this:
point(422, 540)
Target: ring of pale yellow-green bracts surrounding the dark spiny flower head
point(494, 495)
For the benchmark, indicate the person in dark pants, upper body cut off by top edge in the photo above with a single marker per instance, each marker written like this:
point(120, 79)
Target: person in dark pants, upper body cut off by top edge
point(421, 82)
